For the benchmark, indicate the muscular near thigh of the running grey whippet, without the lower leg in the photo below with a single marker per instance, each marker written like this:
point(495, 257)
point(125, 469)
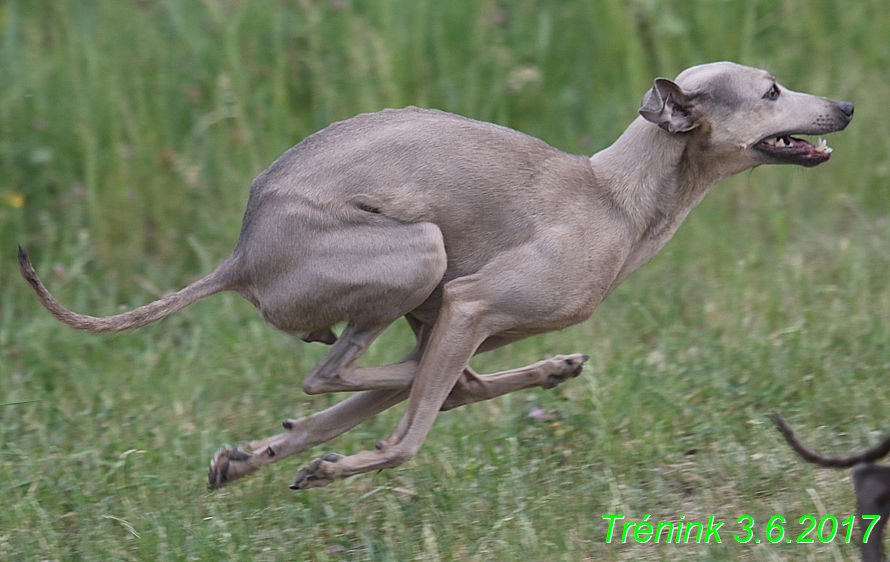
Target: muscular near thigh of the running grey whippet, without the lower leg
point(366, 273)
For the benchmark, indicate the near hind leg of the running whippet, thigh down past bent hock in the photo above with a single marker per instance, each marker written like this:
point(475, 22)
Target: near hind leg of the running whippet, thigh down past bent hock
point(367, 274)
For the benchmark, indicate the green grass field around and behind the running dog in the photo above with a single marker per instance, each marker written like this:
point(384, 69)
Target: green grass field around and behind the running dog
point(129, 134)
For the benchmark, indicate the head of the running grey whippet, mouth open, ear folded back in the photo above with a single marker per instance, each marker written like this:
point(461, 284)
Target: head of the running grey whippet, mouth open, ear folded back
point(731, 108)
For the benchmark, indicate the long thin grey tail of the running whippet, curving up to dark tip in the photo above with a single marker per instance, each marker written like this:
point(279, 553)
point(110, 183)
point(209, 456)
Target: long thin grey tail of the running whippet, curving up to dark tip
point(219, 280)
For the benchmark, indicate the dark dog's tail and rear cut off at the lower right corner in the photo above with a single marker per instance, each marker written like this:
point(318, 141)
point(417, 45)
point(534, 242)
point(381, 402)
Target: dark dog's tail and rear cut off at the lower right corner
point(871, 483)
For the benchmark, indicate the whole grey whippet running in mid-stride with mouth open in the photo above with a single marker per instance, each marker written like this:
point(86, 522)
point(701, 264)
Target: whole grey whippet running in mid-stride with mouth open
point(479, 235)
